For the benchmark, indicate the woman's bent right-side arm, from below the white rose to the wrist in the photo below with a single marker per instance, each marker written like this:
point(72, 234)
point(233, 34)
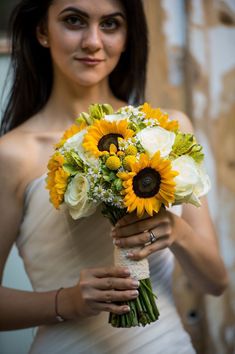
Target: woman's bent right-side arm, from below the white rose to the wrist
point(197, 251)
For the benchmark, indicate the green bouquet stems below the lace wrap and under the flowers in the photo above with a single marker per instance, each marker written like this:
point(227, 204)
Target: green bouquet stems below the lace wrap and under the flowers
point(143, 309)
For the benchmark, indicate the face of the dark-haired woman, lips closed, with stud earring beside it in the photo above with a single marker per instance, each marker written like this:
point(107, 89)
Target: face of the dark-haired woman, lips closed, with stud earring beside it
point(85, 38)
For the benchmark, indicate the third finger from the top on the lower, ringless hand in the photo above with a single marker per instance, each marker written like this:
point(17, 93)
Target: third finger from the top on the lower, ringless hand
point(109, 296)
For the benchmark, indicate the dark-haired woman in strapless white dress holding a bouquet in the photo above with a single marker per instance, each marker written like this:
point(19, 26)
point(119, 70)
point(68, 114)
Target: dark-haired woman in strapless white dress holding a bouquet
point(66, 55)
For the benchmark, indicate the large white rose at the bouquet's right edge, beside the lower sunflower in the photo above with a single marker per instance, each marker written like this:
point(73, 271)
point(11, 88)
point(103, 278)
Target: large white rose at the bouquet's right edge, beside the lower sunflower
point(192, 182)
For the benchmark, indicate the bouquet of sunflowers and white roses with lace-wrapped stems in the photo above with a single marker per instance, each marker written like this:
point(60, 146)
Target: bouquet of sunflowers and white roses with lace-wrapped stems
point(133, 160)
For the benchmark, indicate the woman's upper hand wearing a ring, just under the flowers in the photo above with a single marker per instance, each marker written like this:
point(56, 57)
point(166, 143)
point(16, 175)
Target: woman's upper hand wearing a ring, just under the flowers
point(132, 231)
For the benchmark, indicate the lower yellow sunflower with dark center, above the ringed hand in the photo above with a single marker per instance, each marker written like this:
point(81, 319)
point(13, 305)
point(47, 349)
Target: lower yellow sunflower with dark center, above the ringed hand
point(148, 185)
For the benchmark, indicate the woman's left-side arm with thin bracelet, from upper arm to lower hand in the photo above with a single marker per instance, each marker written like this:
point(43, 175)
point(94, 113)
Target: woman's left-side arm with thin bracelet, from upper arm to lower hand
point(94, 292)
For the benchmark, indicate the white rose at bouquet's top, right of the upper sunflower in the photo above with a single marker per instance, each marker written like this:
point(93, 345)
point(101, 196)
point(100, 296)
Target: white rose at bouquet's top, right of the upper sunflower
point(156, 138)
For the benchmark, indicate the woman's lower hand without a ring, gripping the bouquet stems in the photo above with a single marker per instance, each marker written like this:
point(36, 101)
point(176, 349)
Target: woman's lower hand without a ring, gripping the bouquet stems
point(100, 289)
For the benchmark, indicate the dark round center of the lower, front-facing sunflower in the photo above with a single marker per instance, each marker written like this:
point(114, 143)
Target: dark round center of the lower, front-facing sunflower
point(146, 183)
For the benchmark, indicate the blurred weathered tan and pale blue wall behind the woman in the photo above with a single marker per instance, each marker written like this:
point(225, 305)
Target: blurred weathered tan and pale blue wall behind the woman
point(191, 68)
